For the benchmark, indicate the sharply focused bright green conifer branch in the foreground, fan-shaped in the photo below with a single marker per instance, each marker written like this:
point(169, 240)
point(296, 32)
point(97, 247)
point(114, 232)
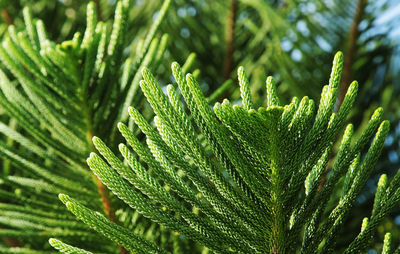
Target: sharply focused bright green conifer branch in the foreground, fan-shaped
point(237, 179)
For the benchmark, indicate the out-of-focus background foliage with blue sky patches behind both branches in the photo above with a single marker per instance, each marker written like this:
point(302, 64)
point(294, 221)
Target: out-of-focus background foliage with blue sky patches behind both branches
point(293, 40)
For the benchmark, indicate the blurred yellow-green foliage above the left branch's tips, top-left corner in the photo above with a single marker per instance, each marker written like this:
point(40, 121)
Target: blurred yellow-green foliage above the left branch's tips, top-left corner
point(64, 18)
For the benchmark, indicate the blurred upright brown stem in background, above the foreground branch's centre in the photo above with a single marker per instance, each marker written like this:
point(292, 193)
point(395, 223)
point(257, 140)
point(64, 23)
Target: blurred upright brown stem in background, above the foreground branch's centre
point(230, 39)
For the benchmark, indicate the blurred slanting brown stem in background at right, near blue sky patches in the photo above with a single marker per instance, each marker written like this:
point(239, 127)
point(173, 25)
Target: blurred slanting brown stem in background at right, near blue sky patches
point(351, 49)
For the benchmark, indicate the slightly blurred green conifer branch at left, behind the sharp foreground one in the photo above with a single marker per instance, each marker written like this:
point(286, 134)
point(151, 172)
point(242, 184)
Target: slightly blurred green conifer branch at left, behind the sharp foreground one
point(56, 97)
